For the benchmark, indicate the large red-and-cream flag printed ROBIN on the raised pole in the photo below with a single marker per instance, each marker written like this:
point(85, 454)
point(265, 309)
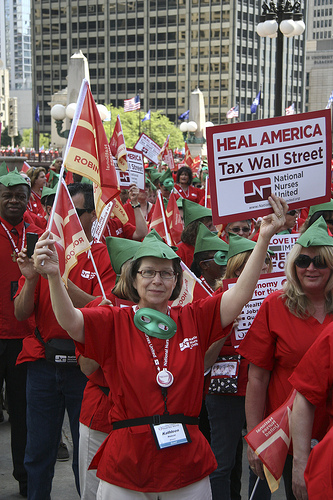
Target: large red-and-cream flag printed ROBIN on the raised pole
point(88, 152)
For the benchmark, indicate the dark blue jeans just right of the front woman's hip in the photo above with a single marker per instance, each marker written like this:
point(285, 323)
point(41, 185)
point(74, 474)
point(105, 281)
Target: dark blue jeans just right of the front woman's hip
point(226, 417)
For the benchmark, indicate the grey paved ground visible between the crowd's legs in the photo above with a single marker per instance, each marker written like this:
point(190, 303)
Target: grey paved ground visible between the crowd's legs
point(63, 482)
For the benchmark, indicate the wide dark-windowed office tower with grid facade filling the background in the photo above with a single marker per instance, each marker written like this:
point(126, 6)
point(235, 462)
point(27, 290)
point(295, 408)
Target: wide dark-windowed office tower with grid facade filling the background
point(162, 50)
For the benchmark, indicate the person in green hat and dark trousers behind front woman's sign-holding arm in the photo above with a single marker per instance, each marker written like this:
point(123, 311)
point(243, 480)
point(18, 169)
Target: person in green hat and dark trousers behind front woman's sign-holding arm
point(225, 400)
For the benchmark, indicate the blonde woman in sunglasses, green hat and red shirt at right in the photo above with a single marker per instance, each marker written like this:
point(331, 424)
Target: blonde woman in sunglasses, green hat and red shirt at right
point(287, 324)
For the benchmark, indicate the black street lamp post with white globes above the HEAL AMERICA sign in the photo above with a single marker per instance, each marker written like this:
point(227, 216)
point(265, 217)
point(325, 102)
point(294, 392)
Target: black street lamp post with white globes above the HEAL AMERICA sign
point(278, 20)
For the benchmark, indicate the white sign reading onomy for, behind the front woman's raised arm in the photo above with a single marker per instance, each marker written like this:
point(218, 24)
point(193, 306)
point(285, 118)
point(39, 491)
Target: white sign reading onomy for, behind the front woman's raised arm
point(267, 284)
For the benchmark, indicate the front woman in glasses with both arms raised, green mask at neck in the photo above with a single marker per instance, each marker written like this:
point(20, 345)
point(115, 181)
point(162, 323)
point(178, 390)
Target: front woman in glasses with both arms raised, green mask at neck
point(153, 360)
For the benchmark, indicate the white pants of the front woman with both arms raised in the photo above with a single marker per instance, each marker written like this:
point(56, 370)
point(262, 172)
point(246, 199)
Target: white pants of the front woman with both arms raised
point(196, 491)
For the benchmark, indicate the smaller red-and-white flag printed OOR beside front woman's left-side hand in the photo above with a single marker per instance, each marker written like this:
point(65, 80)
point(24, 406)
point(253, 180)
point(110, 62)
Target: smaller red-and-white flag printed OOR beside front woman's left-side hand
point(69, 238)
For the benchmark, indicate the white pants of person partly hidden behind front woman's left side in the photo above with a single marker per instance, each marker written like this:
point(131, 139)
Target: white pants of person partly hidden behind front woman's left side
point(89, 442)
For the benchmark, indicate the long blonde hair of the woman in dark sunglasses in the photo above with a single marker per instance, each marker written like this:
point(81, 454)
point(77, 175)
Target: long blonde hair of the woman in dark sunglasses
point(296, 299)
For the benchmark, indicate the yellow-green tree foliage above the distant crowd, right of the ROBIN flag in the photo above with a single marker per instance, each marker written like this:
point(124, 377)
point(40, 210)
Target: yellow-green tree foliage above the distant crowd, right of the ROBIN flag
point(158, 130)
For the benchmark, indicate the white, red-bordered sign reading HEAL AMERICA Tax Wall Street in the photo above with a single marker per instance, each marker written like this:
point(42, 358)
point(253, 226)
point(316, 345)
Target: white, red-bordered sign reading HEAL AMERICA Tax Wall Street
point(289, 156)
